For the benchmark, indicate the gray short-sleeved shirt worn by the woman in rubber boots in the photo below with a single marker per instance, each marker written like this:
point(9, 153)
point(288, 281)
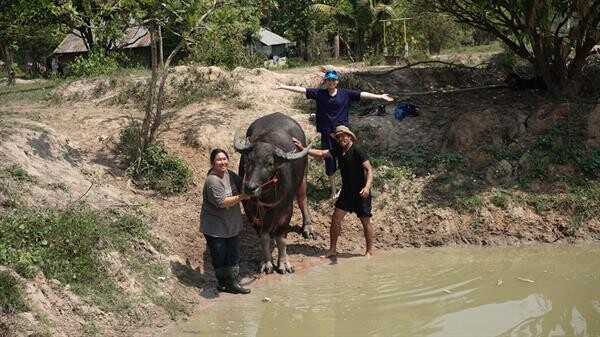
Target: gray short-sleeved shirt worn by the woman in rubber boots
point(215, 221)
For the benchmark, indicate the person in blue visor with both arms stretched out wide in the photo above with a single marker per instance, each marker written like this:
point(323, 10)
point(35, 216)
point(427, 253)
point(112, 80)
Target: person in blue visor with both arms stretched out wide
point(333, 105)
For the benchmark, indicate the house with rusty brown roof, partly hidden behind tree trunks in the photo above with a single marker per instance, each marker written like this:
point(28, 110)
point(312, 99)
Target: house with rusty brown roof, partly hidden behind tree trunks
point(135, 43)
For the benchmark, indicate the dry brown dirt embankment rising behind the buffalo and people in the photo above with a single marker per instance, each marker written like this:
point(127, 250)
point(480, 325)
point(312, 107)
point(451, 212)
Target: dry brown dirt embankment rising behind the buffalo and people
point(69, 150)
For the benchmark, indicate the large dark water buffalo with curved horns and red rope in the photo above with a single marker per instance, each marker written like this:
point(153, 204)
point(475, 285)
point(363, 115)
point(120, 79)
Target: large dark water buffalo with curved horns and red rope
point(274, 173)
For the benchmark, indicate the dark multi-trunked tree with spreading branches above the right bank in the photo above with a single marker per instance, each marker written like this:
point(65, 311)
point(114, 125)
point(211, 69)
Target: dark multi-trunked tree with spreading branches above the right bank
point(555, 36)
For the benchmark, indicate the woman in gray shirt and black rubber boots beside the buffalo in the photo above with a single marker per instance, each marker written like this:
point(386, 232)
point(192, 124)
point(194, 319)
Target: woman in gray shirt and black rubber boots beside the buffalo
point(221, 221)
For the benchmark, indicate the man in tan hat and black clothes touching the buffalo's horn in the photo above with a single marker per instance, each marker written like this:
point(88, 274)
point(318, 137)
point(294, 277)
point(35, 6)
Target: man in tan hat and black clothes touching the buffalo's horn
point(357, 177)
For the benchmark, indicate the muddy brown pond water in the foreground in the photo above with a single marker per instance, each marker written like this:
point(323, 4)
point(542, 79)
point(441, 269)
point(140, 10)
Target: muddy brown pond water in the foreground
point(453, 291)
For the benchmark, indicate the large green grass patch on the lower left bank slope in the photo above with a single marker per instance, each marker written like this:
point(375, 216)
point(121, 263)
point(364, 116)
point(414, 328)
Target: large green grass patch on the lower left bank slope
point(64, 245)
